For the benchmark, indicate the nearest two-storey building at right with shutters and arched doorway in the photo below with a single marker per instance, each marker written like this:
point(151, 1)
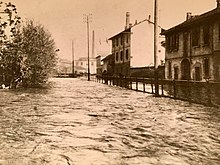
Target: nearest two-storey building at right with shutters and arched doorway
point(193, 48)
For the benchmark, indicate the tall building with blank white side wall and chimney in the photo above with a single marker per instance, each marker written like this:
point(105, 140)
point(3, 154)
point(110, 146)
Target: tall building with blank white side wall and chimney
point(133, 47)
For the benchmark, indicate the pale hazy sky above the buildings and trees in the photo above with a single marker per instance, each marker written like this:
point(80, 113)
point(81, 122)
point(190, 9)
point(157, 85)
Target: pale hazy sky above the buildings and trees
point(64, 18)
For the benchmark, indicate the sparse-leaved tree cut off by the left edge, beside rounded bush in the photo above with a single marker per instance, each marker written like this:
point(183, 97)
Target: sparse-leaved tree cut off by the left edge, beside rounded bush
point(9, 56)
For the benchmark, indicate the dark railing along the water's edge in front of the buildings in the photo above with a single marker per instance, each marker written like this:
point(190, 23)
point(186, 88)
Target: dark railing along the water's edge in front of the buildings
point(206, 93)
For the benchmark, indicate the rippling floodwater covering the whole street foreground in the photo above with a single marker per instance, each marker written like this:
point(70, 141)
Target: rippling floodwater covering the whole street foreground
point(87, 123)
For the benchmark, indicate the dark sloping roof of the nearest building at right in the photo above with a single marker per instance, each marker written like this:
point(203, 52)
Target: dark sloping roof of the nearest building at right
point(210, 15)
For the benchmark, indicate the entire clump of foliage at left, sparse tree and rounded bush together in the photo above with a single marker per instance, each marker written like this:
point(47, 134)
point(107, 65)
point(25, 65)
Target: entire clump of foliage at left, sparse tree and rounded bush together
point(27, 52)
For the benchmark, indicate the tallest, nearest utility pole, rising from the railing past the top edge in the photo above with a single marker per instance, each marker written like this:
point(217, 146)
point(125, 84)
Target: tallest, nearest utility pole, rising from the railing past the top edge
point(156, 39)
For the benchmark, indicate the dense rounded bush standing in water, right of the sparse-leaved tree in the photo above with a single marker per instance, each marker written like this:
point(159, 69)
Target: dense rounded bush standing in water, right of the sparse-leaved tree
point(39, 54)
